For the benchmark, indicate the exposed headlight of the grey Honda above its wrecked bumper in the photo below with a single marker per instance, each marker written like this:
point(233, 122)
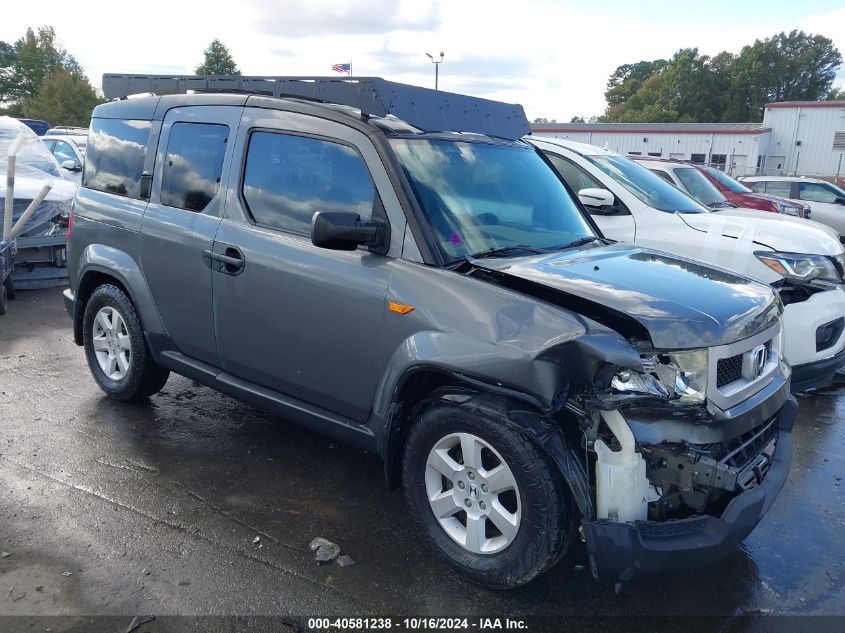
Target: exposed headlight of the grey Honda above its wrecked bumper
point(678, 376)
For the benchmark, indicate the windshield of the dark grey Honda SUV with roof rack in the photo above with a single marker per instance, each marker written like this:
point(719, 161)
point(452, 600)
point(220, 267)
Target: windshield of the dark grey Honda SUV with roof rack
point(480, 196)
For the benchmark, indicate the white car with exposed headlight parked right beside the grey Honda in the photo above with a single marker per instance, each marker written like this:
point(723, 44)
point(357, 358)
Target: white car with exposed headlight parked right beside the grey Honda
point(802, 259)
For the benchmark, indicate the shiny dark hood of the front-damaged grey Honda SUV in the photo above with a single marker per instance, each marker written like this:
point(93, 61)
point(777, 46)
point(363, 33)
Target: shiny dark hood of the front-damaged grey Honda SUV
point(682, 304)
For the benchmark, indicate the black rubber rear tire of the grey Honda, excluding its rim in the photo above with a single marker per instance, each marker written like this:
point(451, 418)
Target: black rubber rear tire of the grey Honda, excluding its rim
point(144, 377)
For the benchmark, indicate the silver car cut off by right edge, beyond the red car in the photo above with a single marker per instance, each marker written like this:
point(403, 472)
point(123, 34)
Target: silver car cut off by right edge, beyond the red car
point(826, 200)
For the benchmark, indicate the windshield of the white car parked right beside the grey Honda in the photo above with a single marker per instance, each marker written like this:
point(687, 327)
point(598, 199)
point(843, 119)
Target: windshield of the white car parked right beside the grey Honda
point(646, 186)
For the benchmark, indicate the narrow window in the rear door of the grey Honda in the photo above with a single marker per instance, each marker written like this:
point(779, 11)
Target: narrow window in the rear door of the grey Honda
point(193, 165)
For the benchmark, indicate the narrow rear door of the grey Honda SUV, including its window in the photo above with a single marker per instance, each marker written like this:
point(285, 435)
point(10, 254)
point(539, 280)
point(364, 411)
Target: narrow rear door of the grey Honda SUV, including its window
point(181, 219)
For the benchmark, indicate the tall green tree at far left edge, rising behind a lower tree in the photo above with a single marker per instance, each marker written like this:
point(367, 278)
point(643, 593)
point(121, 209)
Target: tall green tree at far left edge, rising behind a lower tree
point(25, 64)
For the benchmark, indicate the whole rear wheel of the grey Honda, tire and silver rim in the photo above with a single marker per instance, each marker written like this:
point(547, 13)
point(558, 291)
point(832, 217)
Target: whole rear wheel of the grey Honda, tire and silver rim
point(115, 349)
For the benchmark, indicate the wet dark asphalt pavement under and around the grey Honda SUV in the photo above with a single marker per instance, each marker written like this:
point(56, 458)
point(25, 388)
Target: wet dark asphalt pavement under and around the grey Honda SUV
point(115, 509)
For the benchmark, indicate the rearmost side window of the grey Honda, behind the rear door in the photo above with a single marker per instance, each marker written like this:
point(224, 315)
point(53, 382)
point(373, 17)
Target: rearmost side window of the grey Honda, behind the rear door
point(116, 153)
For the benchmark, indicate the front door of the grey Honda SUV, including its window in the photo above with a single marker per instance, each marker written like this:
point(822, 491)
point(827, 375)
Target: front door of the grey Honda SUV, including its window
point(301, 320)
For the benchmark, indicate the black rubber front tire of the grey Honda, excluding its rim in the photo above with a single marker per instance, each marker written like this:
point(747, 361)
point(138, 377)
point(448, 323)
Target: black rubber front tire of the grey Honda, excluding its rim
point(547, 524)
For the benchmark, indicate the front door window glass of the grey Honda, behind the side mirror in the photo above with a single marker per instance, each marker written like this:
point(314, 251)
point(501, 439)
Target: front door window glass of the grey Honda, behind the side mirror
point(287, 178)
